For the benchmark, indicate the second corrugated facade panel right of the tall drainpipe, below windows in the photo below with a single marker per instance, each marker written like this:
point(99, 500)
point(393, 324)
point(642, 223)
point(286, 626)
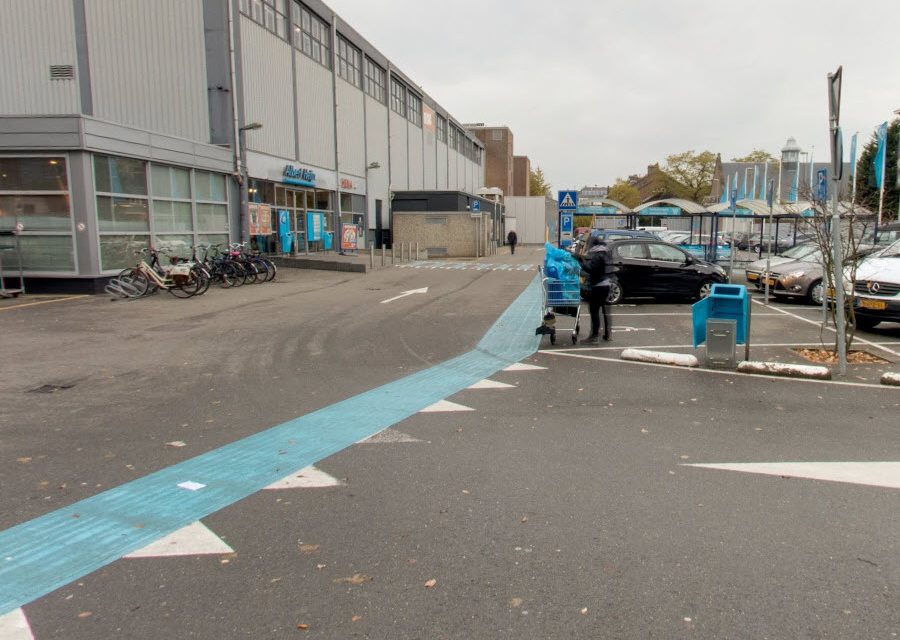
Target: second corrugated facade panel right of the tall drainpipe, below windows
point(316, 106)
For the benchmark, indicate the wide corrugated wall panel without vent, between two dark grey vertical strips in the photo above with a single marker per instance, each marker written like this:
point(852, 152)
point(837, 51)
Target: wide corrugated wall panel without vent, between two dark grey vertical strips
point(148, 64)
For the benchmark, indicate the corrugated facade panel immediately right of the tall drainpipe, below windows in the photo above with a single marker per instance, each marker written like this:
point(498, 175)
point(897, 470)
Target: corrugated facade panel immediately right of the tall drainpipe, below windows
point(268, 90)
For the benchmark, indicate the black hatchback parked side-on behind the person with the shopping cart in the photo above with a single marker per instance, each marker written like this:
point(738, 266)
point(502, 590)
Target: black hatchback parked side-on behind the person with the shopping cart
point(653, 268)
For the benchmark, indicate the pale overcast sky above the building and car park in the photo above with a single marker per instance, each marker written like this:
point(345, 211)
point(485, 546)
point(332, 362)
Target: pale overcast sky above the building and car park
point(594, 90)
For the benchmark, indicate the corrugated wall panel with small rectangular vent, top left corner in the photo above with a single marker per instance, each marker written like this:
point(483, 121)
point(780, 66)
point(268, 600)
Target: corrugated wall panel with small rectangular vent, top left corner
point(33, 36)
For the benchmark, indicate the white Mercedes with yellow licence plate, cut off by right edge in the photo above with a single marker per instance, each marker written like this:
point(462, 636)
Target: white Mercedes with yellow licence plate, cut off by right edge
point(877, 288)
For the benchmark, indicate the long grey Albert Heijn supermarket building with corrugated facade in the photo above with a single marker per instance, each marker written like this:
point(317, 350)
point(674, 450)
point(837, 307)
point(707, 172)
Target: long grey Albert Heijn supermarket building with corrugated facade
point(126, 123)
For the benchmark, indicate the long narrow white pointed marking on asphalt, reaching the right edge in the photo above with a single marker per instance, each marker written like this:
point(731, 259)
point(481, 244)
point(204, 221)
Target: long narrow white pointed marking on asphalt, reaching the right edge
point(875, 474)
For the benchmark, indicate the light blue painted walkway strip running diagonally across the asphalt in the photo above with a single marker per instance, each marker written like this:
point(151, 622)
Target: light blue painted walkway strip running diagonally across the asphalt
point(44, 554)
